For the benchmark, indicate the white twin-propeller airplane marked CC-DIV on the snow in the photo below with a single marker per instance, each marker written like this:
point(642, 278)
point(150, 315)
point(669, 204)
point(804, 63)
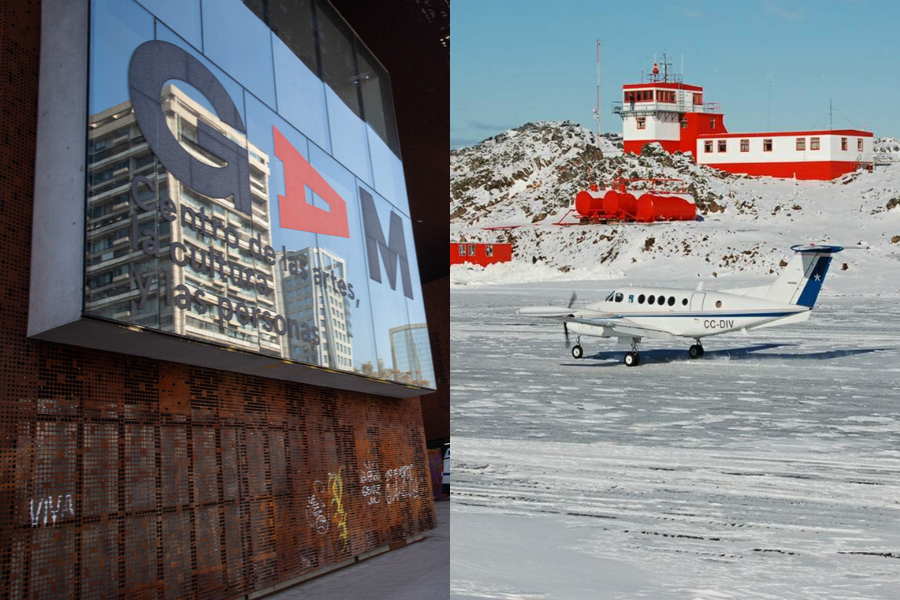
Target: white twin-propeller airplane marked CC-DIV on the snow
point(631, 314)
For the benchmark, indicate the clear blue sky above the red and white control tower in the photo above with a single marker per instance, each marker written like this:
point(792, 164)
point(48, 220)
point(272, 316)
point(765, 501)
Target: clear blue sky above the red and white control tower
point(517, 61)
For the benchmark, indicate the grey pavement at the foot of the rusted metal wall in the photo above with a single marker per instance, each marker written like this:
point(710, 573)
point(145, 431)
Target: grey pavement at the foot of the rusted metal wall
point(420, 571)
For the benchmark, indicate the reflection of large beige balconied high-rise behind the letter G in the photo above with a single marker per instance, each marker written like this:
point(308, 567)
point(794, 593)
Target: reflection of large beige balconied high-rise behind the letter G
point(126, 283)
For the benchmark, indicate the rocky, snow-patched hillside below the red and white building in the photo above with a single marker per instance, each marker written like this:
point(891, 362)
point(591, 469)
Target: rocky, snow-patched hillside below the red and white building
point(522, 181)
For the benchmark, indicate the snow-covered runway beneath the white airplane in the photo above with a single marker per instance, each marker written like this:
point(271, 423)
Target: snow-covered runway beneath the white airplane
point(770, 468)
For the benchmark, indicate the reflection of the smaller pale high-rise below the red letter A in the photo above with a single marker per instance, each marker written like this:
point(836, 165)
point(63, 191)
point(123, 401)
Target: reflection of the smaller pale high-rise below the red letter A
point(317, 293)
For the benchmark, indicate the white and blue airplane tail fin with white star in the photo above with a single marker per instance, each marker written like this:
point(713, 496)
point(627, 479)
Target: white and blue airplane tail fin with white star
point(802, 279)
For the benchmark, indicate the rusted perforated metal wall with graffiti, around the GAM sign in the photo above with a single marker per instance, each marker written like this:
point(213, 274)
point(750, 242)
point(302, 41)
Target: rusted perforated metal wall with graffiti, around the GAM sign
point(135, 478)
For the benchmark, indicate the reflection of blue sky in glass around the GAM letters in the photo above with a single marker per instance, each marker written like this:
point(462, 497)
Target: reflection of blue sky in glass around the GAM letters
point(249, 61)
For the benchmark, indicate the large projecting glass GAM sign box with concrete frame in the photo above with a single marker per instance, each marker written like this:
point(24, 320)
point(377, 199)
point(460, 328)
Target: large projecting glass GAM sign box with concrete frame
point(235, 195)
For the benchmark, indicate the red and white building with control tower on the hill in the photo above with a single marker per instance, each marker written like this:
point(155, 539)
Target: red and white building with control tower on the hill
point(675, 115)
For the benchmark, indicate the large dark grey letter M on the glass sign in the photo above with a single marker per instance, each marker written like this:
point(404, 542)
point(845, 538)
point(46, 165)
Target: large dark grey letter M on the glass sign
point(392, 252)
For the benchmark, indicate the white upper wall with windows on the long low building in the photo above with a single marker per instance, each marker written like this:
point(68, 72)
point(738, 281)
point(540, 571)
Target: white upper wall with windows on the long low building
point(784, 149)
